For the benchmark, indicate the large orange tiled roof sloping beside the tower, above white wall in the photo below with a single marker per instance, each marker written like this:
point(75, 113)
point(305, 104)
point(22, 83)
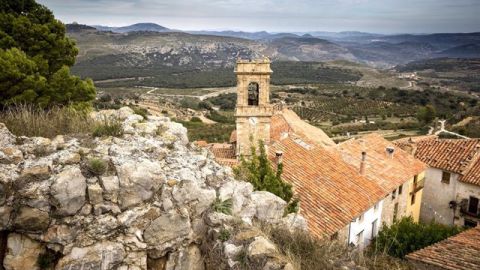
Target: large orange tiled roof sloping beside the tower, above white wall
point(331, 192)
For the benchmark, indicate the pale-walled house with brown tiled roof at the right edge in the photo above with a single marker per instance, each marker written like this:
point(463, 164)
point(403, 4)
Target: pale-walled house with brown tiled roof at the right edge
point(452, 182)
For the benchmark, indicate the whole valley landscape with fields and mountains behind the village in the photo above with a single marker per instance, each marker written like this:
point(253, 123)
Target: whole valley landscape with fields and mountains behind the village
point(348, 84)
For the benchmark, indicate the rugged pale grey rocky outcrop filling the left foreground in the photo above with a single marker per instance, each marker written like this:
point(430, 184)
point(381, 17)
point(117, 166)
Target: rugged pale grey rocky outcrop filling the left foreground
point(150, 208)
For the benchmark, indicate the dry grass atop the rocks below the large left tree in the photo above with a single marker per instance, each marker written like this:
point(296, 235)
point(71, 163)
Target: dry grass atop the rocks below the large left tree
point(25, 120)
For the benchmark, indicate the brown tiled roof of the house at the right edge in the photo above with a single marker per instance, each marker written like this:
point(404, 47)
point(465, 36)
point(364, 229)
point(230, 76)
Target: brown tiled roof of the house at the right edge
point(450, 155)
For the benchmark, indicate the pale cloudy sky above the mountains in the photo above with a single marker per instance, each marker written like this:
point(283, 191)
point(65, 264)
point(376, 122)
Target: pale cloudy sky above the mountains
point(381, 16)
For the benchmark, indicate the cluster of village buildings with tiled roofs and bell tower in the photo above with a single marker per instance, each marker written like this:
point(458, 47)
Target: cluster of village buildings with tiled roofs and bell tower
point(349, 190)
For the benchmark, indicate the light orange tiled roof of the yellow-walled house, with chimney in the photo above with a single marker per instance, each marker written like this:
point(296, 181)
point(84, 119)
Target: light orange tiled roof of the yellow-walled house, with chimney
point(389, 171)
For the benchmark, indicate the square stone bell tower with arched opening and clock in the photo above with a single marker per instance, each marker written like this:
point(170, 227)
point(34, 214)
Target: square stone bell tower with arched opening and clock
point(254, 112)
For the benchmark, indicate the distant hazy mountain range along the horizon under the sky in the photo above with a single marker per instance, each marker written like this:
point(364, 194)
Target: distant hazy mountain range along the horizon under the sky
point(147, 45)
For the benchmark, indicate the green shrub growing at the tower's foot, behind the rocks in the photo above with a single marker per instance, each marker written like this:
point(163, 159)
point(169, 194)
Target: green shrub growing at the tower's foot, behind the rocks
point(258, 171)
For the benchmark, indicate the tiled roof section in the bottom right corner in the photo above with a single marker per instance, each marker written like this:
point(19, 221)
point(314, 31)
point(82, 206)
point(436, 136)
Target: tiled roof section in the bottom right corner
point(459, 252)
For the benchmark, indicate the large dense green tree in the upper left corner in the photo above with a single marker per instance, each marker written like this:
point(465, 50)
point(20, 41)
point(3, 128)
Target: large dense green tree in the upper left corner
point(35, 56)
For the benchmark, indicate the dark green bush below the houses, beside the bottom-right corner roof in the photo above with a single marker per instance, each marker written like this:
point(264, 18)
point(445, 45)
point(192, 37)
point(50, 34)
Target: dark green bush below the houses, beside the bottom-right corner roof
point(405, 236)
